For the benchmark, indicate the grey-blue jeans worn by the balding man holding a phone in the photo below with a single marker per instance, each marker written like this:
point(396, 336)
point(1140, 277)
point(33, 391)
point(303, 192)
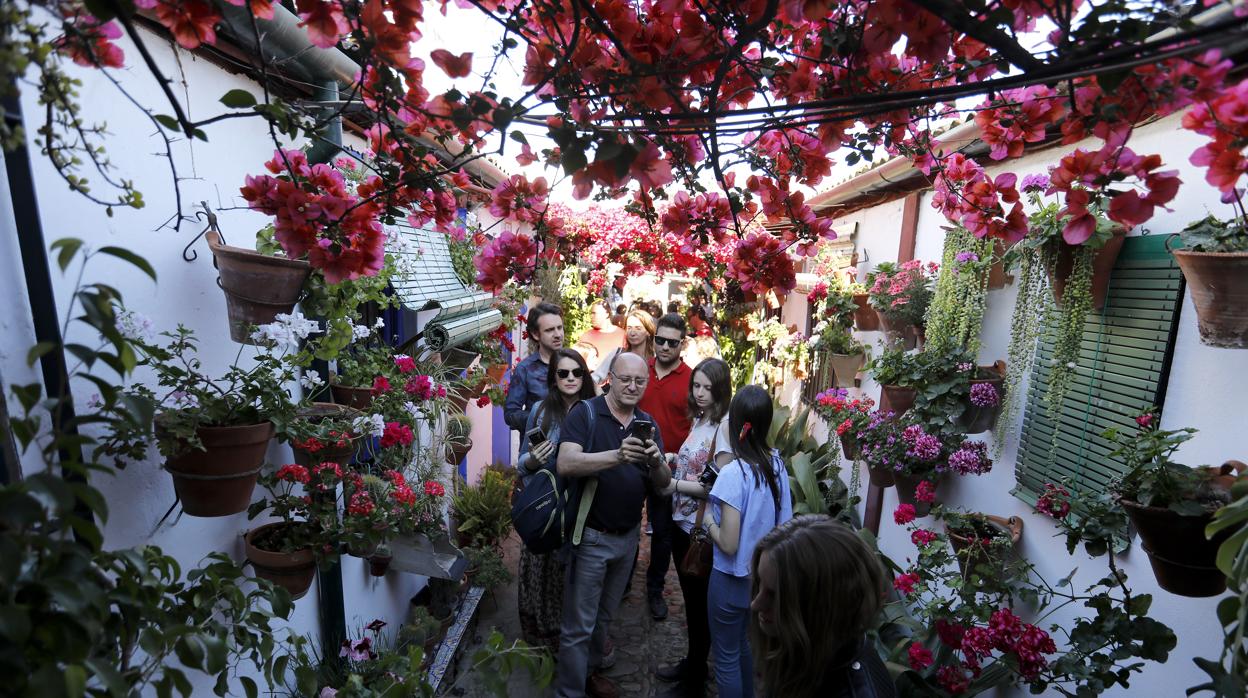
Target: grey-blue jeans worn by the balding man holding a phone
point(598, 574)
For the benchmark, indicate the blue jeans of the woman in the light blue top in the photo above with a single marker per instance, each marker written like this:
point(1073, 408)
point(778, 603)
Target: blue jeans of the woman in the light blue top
point(728, 604)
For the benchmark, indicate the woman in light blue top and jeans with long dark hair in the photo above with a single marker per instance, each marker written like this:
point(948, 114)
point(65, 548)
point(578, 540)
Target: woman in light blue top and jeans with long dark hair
point(751, 498)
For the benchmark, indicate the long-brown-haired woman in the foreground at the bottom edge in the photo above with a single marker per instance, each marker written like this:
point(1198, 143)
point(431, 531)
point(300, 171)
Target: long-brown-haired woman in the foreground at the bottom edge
point(818, 587)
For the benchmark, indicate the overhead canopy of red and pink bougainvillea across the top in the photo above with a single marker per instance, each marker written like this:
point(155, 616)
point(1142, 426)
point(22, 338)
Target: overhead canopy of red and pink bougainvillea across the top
point(709, 118)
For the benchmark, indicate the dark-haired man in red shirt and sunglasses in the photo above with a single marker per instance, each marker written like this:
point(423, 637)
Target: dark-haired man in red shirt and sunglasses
point(667, 400)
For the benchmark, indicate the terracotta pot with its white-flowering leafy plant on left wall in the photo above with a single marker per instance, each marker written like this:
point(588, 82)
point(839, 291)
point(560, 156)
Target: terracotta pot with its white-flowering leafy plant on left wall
point(213, 433)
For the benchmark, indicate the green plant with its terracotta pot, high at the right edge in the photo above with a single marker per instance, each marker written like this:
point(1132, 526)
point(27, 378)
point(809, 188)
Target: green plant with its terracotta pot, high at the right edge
point(1215, 262)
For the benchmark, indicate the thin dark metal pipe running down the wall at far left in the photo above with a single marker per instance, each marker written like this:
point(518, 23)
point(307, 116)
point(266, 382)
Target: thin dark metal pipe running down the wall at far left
point(39, 289)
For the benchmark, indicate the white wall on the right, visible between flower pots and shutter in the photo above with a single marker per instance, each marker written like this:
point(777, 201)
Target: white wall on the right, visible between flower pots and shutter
point(1206, 390)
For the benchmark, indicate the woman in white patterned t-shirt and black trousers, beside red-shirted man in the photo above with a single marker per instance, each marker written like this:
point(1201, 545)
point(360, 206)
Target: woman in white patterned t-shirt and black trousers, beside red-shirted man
point(711, 391)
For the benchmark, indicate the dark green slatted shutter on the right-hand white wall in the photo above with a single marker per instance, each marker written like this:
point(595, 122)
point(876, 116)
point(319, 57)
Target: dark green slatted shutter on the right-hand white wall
point(1123, 369)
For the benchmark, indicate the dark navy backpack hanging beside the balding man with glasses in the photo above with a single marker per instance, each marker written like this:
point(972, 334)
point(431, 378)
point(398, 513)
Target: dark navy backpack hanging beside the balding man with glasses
point(542, 510)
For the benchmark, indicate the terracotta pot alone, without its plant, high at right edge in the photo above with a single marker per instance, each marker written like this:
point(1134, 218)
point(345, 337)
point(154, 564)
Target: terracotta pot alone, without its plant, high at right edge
point(1219, 284)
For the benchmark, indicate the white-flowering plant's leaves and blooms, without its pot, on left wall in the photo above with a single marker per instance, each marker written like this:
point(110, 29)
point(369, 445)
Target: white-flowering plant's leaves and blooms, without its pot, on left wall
point(188, 398)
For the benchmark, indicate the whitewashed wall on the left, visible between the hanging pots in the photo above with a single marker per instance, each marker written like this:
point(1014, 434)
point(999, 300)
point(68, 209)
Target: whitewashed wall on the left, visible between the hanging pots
point(187, 294)
